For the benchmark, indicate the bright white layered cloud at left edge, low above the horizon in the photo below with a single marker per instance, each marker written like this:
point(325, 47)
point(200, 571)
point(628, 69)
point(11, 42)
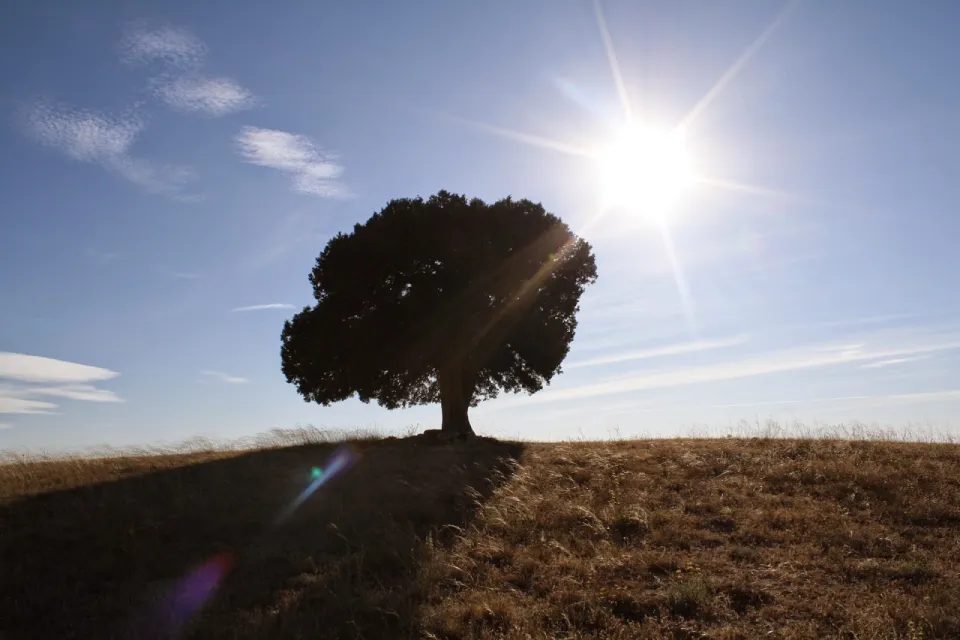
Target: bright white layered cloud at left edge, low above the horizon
point(36, 376)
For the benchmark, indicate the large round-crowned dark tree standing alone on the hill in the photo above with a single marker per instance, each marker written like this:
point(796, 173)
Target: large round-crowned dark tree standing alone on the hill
point(443, 300)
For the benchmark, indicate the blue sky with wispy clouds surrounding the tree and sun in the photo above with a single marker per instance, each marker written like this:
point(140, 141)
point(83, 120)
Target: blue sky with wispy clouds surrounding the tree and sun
point(169, 172)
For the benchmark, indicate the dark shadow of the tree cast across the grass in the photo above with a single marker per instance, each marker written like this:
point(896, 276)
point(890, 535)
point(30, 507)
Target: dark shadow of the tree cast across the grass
point(102, 560)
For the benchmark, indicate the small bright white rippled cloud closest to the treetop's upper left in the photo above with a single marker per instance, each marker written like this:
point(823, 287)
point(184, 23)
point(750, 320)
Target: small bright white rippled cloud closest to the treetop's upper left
point(313, 171)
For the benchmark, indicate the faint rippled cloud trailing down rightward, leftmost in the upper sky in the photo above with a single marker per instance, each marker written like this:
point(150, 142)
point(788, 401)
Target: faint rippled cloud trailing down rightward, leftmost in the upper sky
point(98, 138)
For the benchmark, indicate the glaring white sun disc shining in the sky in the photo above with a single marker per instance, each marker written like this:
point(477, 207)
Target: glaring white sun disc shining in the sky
point(644, 172)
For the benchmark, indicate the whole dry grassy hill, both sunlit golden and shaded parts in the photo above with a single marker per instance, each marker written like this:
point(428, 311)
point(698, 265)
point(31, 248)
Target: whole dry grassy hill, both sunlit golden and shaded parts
point(732, 538)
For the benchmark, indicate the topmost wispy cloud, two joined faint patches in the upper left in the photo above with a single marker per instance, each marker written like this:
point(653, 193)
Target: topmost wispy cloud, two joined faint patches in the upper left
point(180, 85)
